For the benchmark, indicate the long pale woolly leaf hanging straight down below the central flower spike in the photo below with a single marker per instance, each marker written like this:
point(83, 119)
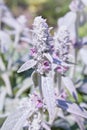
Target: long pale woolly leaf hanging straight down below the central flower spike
point(49, 97)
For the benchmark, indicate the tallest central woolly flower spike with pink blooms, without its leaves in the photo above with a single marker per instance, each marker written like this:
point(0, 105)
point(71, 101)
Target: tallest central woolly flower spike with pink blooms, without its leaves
point(42, 42)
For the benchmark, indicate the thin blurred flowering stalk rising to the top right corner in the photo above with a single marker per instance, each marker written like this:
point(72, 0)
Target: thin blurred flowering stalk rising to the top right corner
point(77, 6)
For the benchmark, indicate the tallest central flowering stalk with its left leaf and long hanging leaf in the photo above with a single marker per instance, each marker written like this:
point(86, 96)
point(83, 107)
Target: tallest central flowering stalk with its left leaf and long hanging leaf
point(42, 61)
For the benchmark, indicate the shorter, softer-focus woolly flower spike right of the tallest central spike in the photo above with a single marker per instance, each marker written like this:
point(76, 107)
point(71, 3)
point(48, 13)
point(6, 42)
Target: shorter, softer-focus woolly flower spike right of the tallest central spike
point(62, 49)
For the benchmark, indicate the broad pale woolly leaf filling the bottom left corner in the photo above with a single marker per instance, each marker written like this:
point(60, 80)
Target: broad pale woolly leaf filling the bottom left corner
point(16, 120)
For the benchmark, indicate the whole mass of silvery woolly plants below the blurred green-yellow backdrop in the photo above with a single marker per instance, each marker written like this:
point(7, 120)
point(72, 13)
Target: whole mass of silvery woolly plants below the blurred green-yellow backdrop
point(43, 77)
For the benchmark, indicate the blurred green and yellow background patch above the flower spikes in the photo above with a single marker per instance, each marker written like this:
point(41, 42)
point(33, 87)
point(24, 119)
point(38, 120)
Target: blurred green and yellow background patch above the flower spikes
point(49, 9)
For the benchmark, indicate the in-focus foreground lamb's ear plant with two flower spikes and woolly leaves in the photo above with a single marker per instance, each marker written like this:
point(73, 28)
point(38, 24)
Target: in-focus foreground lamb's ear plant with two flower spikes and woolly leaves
point(49, 55)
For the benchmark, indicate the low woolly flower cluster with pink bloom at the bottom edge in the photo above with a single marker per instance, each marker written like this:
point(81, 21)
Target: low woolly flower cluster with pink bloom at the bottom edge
point(33, 104)
